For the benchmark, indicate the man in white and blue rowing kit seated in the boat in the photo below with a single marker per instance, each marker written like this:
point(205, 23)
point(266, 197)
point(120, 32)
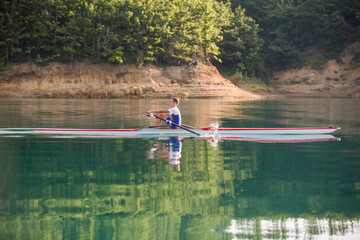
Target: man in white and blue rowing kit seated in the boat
point(175, 115)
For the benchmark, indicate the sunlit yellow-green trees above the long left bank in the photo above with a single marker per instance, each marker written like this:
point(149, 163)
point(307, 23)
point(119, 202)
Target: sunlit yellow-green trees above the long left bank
point(116, 31)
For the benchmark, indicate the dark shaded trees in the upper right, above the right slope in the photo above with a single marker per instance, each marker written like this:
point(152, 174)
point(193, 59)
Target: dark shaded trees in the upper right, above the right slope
point(293, 26)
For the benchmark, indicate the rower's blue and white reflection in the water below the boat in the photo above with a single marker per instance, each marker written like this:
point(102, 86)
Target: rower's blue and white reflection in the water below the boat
point(171, 149)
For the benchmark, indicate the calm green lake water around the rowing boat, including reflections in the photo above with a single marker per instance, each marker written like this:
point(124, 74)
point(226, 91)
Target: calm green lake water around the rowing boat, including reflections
point(81, 188)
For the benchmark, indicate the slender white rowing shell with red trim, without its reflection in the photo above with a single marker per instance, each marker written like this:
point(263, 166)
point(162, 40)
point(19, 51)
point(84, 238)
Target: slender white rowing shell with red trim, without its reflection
point(170, 132)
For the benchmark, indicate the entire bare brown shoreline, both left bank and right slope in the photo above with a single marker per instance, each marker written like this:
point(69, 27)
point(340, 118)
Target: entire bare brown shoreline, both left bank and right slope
point(83, 80)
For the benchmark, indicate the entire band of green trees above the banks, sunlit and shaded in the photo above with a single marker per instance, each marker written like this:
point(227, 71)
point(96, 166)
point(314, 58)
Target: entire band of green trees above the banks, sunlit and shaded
point(271, 33)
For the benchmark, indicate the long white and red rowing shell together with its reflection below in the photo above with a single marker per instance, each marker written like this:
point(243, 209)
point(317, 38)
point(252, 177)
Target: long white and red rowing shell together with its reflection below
point(278, 135)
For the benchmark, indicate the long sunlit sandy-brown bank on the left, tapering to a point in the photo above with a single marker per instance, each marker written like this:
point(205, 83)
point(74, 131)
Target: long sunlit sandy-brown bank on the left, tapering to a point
point(87, 80)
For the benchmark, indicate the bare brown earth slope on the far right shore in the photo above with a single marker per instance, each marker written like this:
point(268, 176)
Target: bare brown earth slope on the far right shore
point(337, 78)
